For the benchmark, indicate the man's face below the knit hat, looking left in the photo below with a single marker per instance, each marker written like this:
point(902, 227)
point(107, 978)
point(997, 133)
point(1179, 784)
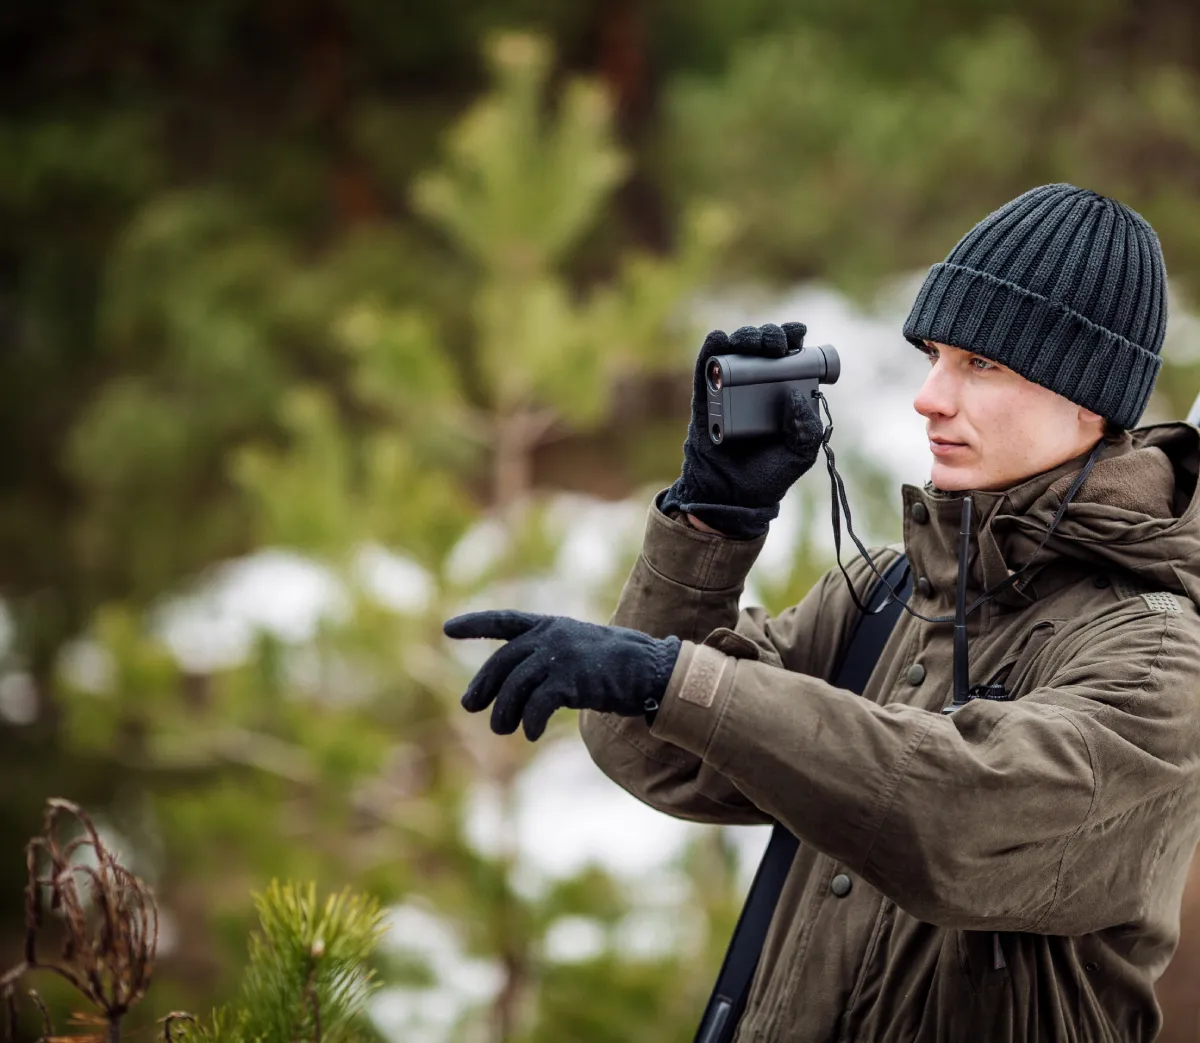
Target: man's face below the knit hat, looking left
point(991, 429)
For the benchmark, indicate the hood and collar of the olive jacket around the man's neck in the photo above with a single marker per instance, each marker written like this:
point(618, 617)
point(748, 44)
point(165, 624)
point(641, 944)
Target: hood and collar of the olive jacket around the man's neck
point(1138, 512)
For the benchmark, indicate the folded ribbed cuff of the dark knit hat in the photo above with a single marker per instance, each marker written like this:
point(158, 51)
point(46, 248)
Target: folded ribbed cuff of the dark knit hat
point(1045, 341)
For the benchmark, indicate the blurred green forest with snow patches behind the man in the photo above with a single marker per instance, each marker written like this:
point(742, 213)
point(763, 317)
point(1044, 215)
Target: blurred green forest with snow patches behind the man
point(338, 285)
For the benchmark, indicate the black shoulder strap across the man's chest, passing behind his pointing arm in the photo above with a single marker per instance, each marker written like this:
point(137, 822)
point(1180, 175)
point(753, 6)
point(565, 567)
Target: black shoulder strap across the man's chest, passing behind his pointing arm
point(729, 999)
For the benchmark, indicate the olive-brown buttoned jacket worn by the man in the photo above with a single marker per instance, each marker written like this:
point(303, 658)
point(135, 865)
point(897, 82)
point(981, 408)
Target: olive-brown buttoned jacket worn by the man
point(1016, 868)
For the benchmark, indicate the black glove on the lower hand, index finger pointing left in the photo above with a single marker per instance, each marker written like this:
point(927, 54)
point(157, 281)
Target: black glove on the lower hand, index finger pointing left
point(555, 661)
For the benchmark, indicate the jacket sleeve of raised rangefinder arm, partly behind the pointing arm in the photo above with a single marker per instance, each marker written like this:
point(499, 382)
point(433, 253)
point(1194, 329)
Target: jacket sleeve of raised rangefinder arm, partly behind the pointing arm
point(688, 584)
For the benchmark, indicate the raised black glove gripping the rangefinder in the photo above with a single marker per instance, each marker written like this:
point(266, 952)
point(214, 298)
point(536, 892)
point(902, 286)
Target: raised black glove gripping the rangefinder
point(736, 488)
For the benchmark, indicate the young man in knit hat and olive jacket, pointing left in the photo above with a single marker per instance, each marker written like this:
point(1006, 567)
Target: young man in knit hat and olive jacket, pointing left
point(1009, 872)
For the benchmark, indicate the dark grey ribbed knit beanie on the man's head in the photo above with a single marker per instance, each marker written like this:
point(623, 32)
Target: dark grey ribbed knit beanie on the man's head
point(1064, 286)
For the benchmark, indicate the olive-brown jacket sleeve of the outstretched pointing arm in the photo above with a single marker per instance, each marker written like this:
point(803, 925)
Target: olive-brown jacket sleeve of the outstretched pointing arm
point(1054, 814)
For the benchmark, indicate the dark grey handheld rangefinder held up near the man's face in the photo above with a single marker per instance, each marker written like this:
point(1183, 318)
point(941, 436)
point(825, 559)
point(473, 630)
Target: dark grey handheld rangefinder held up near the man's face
point(748, 394)
